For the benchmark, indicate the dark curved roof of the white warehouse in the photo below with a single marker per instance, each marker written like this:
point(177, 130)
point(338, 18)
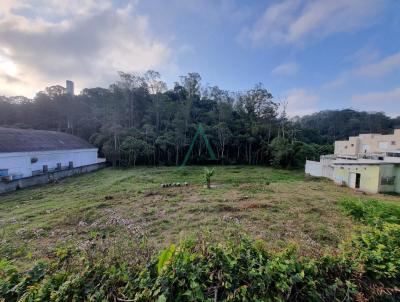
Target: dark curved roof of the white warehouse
point(25, 140)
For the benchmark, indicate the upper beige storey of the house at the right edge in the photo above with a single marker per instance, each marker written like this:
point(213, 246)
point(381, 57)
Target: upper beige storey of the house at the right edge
point(368, 144)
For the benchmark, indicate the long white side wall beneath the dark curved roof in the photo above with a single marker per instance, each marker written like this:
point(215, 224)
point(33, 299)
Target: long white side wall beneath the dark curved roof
point(20, 162)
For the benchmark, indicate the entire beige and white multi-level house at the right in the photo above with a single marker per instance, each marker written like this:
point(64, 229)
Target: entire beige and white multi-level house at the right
point(368, 162)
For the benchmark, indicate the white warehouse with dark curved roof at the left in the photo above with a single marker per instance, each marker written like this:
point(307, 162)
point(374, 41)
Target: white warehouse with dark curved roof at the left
point(24, 153)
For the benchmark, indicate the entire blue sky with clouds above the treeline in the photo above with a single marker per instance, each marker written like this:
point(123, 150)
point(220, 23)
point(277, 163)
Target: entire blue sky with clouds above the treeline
point(313, 54)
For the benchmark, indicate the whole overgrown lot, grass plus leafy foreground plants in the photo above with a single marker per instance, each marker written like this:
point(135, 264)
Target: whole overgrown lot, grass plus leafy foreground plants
point(260, 235)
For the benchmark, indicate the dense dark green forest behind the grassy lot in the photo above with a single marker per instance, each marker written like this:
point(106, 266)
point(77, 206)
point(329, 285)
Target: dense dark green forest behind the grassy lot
point(138, 120)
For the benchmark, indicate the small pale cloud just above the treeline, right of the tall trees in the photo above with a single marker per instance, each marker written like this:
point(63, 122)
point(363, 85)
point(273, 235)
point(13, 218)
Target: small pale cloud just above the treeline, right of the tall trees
point(300, 102)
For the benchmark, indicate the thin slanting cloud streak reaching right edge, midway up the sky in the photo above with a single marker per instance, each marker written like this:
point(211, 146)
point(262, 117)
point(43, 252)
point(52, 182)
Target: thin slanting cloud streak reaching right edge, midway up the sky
point(380, 68)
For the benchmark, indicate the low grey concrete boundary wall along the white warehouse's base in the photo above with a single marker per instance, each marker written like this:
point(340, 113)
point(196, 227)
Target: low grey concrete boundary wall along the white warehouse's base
point(46, 178)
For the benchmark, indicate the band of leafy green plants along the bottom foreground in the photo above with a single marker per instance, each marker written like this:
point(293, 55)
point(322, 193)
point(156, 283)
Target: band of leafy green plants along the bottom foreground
point(239, 270)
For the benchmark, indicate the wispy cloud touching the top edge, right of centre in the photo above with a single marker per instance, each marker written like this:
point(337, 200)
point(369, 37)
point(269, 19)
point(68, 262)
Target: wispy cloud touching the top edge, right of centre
point(294, 21)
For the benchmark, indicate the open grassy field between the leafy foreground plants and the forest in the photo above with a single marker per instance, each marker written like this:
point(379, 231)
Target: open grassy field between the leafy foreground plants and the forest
point(278, 206)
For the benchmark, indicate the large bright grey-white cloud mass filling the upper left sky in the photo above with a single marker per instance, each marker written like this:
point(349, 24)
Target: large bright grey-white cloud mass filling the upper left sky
point(86, 41)
